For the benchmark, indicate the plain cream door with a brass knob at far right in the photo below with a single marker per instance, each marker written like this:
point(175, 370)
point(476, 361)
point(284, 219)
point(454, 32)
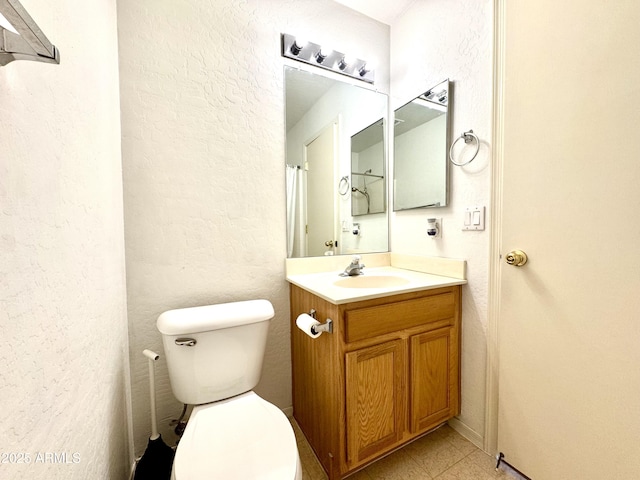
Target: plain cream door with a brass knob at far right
point(569, 319)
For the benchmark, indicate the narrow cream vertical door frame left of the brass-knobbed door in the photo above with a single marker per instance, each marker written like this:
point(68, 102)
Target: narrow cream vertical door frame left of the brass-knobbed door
point(492, 368)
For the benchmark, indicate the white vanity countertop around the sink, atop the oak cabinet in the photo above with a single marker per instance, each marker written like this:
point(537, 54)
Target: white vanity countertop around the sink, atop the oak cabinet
point(323, 285)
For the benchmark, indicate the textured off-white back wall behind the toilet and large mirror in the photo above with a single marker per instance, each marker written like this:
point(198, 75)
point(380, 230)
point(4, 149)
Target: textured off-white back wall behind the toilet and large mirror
point(203, 161)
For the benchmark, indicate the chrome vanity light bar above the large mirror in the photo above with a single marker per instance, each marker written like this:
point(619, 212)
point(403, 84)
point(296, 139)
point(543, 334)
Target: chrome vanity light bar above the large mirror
point(314, 54)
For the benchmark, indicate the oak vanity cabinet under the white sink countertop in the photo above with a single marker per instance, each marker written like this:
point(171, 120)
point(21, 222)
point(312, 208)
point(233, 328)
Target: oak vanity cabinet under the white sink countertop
point(388, 373)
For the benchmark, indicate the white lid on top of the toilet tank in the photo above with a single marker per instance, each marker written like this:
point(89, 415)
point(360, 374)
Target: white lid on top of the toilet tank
point(214, 317)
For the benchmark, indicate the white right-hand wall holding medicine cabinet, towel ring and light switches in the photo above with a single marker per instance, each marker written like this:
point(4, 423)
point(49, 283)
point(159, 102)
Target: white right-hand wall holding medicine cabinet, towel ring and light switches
point(430, 42)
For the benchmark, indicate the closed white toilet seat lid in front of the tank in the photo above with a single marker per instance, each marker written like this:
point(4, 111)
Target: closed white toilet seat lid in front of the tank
point(244, 437)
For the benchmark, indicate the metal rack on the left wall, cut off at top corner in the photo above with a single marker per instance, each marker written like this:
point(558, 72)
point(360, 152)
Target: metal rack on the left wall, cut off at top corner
point(21, 38)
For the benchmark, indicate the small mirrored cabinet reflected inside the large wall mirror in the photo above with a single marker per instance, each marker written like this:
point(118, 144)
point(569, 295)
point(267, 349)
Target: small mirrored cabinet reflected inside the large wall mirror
point(367, 170)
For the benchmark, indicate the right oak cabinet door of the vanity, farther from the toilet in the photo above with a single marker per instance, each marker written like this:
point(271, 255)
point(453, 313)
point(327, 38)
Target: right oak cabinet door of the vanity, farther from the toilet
point(434, 378)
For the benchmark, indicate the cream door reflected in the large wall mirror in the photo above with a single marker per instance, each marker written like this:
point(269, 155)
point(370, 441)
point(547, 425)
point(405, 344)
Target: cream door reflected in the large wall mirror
point(320, 195)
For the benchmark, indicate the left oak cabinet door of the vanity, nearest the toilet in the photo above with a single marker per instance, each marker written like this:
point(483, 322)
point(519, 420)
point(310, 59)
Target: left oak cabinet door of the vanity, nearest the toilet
point(376, 399)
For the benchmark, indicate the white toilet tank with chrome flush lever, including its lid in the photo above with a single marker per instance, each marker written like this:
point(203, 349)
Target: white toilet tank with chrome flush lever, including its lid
point(215, 351)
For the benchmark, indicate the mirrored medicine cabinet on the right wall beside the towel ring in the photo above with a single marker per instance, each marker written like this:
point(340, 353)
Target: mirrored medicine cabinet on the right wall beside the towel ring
point(421, 137)
